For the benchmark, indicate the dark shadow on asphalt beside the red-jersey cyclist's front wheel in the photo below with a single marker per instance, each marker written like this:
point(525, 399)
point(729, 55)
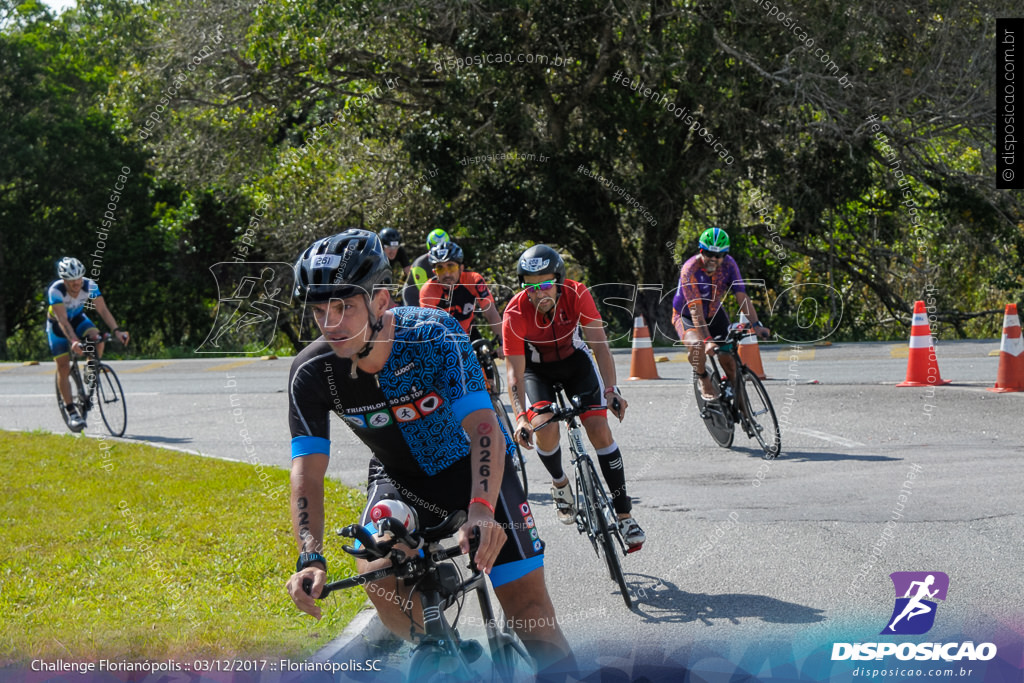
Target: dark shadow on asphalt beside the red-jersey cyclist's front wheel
point(661, 602)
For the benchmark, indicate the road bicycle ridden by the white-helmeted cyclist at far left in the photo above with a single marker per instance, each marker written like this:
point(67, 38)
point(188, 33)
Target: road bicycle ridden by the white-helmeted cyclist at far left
point(98, 386)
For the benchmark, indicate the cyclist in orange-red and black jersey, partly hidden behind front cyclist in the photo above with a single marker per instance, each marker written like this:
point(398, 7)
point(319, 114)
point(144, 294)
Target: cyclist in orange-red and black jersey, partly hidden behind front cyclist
point(459, 292)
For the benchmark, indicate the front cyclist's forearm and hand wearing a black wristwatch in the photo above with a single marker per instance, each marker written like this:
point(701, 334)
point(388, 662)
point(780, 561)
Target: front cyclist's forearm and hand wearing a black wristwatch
point(308, 526)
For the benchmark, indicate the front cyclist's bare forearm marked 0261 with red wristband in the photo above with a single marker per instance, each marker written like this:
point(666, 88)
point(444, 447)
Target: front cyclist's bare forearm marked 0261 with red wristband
point(488, 468)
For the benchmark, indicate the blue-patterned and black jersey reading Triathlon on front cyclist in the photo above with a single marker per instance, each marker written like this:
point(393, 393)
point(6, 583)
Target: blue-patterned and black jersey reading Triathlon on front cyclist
point(410, 414)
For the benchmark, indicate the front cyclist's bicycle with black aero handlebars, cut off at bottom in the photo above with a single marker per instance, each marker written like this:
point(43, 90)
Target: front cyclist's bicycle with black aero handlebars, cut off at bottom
point(441, 653)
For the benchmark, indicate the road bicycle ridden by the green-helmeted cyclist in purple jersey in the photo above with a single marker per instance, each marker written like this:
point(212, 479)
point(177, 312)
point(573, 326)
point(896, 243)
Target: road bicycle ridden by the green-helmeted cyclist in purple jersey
point(742, 401)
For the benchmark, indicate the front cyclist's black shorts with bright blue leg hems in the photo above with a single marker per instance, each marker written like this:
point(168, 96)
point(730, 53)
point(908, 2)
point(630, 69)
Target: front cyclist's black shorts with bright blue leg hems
point(437, 497)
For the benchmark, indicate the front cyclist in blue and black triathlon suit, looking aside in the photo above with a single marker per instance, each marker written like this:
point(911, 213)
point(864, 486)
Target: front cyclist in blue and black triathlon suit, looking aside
point(408, 385)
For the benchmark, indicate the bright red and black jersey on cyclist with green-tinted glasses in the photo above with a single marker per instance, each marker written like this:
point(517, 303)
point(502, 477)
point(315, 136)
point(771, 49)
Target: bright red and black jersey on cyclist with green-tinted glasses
point(548, 338)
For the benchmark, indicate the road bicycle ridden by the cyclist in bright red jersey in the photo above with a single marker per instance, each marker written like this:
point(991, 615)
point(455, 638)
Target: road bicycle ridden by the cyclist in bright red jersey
point(595, 516)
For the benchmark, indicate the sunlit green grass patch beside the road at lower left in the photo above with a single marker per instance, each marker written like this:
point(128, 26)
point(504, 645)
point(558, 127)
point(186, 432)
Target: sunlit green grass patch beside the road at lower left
point(137, 552)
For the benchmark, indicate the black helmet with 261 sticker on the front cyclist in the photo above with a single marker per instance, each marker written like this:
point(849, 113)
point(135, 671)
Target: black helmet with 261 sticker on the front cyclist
point(343, 266)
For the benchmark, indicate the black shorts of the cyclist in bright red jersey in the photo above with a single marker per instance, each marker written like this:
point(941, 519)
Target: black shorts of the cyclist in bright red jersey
point(579, 376)
